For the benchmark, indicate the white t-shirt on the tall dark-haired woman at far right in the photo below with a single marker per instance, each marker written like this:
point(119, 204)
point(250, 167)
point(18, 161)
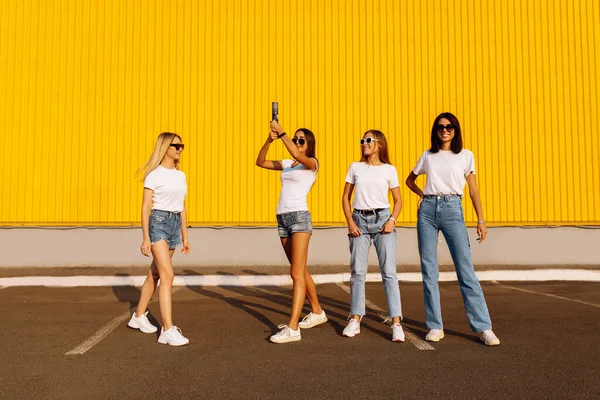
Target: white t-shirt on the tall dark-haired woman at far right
point(446, 172)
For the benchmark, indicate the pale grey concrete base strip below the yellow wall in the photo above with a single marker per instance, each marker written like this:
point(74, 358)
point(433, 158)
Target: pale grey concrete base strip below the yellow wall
point(38, 247)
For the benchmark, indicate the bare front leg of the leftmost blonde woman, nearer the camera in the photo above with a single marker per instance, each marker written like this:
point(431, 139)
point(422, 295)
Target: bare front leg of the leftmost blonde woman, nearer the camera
point(162, 259)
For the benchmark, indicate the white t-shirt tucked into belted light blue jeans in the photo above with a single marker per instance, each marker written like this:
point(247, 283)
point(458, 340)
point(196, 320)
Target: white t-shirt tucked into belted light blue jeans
point(371, 184)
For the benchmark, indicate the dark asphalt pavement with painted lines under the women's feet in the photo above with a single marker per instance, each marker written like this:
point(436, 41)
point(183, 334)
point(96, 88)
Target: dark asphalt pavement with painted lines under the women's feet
point(549, 332)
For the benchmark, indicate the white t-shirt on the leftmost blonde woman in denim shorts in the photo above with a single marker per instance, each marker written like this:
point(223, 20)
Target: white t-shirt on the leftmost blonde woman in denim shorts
point(169, 188)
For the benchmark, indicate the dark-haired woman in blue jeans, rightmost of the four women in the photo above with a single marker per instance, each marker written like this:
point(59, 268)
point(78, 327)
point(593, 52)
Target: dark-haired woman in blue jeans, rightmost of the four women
point(448, 168)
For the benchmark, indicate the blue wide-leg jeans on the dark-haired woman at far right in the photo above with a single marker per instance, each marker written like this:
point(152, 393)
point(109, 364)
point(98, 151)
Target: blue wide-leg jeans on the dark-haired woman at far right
point(445, 213)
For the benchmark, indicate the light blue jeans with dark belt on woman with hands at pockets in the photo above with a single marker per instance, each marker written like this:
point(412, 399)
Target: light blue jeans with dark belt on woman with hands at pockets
point(385, 244)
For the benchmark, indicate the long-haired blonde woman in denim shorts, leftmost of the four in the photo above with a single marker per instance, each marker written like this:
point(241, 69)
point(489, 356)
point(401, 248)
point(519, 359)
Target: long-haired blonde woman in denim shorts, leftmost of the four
point(164, 227)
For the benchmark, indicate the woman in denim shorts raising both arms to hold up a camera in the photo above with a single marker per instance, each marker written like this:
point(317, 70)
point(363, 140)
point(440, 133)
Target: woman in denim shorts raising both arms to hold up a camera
point(295, 223)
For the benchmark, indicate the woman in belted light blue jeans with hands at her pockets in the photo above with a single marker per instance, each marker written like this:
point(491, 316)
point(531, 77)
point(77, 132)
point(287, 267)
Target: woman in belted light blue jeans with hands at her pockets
point(373, 177)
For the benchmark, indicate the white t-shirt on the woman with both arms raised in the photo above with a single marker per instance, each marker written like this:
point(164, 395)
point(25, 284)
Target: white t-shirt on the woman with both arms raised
point(295, 185)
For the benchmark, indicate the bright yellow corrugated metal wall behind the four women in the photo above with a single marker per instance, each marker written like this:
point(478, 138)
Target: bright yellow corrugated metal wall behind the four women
point(86, 86)
